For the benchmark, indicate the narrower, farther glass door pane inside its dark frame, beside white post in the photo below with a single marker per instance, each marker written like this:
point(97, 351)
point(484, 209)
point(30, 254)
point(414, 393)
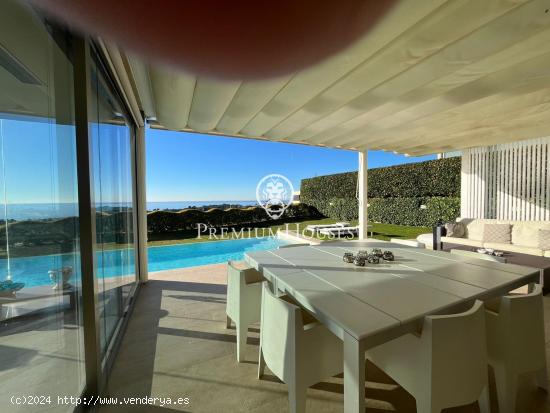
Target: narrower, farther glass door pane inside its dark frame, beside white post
point(112, 151)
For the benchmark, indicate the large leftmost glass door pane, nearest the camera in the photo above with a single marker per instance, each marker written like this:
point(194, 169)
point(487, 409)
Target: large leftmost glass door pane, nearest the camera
point(41, 333)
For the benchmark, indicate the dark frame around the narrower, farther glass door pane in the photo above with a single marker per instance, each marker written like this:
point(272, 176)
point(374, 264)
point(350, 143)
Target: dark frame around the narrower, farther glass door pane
point(97, 366)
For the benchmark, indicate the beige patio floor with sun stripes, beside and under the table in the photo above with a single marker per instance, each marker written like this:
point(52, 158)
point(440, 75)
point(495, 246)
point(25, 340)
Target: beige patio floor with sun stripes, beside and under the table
point(177, 345)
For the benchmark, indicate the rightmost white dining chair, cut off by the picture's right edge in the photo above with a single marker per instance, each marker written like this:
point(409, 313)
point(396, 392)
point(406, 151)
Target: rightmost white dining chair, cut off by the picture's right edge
point(515, 343)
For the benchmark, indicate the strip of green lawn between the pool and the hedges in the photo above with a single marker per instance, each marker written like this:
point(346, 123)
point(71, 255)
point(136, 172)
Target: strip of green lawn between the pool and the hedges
point(380, 231)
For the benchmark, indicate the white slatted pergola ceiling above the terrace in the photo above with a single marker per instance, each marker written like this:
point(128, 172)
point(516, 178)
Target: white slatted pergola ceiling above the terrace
point(431, 76)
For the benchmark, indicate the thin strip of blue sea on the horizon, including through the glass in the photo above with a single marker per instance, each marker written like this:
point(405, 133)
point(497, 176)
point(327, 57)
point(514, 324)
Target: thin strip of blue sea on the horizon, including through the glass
point(25, 212)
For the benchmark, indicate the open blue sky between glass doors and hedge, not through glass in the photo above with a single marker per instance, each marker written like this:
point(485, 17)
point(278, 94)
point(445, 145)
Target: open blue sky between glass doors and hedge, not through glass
point(196, 167)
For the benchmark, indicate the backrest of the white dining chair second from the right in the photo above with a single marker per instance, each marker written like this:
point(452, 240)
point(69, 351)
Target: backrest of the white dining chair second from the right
point(458, 354)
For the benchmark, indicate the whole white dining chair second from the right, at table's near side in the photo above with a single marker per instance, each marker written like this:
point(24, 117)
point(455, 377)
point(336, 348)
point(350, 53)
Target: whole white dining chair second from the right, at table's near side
point(446, 366)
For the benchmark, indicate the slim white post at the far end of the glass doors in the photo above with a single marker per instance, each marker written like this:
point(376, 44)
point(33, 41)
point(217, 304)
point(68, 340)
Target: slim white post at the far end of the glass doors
point(141, 201)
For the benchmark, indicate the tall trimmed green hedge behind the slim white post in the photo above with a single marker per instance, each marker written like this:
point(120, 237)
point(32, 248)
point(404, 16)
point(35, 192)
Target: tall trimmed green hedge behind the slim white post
point(395, 193)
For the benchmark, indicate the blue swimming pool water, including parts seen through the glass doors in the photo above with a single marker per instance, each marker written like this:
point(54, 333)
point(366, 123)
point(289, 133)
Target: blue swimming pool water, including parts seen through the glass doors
point(33, 271)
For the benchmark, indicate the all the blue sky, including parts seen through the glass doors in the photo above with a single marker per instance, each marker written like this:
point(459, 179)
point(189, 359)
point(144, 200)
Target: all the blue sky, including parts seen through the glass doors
point(40, 164)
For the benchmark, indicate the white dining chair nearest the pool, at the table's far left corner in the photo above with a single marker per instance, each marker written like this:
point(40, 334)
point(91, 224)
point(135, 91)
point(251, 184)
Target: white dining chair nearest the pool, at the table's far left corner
point(244, 295)
